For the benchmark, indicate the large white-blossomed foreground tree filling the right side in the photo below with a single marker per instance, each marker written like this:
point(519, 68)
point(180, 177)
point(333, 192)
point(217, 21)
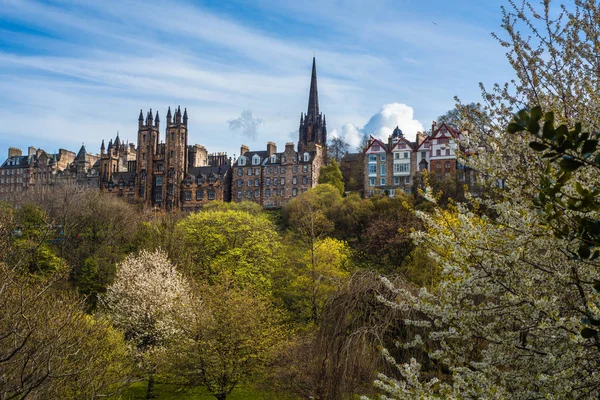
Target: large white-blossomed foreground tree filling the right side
point(517, 285)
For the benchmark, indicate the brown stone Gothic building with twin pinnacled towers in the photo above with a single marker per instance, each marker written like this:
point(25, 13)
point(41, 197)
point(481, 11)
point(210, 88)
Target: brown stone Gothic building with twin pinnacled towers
point(164, 175)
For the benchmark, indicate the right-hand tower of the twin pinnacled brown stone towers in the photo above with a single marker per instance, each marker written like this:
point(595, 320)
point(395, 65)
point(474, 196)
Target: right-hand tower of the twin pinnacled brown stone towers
point(176, 157)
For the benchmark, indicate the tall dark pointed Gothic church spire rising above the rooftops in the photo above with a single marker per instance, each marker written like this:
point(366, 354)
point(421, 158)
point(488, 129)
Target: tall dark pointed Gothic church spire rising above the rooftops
point(313, 129)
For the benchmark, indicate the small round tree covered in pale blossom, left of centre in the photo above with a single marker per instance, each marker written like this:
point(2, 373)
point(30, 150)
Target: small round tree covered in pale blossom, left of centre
point(145, 300)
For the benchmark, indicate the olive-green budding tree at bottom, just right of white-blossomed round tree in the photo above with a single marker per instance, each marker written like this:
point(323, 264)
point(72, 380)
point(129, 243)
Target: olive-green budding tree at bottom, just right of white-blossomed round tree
point(229, 339)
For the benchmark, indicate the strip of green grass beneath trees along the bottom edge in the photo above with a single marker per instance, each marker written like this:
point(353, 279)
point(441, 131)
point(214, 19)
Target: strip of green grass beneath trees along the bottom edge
point(137, 391)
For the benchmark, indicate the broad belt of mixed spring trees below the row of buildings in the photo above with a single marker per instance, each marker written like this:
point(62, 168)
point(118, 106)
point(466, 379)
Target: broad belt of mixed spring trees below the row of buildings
point(98, 294)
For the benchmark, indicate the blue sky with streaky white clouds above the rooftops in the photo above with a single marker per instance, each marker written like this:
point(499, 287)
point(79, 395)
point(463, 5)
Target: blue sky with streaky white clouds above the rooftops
point(75, 72)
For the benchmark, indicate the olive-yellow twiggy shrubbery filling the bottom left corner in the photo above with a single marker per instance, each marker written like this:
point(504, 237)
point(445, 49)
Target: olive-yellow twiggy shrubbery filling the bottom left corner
point(49, 348)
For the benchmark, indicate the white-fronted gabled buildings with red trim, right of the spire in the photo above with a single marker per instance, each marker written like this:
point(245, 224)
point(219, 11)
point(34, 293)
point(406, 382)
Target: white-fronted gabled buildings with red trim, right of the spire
point(391, 167)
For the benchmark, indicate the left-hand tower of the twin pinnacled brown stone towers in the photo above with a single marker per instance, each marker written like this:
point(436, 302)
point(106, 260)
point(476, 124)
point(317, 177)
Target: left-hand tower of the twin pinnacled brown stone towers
point(148, 137)
